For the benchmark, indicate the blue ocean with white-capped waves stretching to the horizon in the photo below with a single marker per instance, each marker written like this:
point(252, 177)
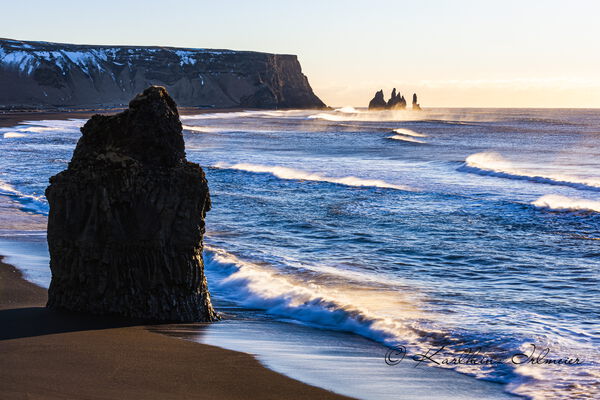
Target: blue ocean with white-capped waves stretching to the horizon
point(471, 231)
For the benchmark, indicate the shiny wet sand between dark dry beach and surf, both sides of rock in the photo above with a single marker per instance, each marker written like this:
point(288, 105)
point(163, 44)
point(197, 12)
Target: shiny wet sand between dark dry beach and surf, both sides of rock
point(322, 358)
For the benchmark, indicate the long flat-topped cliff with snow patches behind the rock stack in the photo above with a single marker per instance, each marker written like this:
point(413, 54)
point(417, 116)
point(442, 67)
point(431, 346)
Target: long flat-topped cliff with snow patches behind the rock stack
point(41, 74)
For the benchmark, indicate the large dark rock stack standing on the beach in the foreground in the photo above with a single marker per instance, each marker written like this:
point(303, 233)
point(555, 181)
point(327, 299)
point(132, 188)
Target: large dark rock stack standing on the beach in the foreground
point(126, 219)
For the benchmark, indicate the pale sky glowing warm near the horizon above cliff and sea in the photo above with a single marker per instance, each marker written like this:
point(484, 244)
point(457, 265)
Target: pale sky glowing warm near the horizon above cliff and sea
point(452, 53)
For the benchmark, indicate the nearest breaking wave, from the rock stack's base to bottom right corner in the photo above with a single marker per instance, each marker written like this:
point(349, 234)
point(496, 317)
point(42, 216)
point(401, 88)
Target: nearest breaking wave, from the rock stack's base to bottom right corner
point(381, 313)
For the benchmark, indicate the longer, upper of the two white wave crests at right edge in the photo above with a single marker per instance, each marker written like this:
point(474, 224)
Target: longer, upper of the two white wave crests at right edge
point(493, 164)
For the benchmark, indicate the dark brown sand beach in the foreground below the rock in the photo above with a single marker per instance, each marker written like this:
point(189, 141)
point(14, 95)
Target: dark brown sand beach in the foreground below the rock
point(62, 355)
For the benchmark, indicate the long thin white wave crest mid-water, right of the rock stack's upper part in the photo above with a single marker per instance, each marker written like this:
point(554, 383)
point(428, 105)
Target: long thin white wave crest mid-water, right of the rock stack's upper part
point(296, 174)
